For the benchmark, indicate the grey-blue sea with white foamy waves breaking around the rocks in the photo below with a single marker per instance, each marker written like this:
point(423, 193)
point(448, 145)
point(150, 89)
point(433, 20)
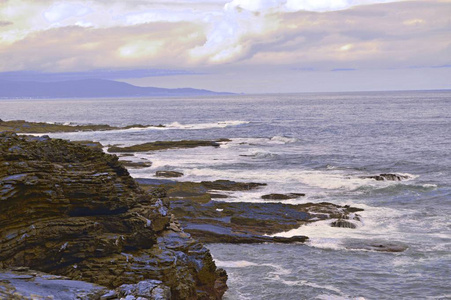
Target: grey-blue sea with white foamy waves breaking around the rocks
point(318, 144)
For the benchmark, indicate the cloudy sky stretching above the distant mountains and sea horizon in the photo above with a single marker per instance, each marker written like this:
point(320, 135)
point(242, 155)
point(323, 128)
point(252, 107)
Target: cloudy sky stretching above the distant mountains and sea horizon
point(243, 46)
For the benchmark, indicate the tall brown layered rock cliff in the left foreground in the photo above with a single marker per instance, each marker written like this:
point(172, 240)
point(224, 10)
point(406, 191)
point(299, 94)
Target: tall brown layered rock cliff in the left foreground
point(71, 210)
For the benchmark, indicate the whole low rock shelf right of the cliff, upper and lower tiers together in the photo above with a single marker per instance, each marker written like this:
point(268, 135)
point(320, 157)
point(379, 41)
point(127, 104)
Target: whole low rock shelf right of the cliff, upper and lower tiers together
point(212, 221)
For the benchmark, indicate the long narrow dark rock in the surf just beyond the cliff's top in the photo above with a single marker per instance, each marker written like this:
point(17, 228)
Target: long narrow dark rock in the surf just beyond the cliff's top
point(164, 145)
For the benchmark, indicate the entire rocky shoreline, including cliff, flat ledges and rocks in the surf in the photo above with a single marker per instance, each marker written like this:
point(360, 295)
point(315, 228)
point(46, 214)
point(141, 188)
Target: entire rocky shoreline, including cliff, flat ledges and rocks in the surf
point(74, 212)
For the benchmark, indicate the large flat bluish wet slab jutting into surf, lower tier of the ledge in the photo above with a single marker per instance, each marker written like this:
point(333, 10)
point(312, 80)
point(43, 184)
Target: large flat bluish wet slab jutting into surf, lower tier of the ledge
point(241, 222)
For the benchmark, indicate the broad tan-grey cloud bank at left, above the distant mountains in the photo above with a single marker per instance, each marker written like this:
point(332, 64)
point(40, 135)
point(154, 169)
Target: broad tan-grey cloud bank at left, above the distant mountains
point(158, 45)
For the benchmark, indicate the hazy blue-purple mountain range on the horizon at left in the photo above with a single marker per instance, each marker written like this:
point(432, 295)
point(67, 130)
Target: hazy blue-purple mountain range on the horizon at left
point(90, 88)
